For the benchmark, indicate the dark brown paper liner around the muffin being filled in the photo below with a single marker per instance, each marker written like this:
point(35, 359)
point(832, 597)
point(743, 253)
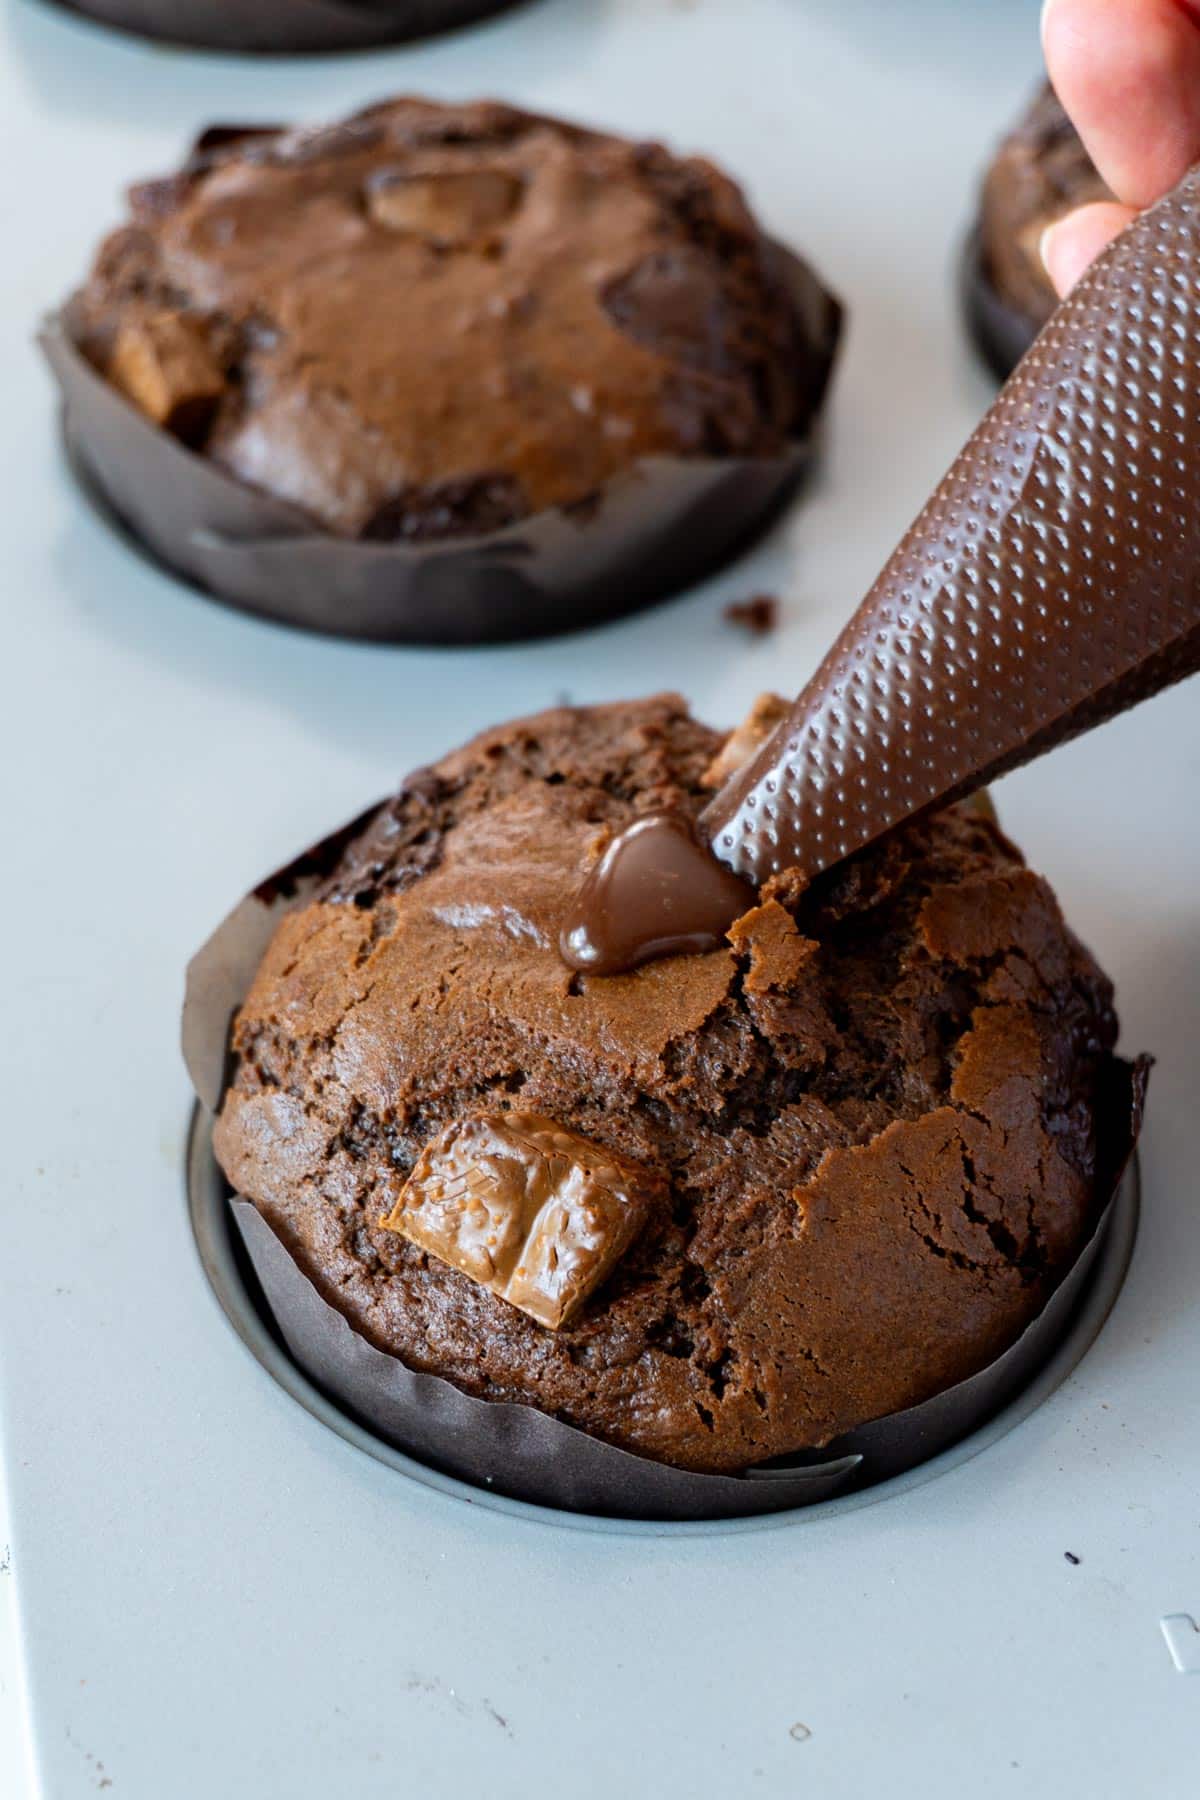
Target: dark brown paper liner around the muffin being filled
point(524, 1453)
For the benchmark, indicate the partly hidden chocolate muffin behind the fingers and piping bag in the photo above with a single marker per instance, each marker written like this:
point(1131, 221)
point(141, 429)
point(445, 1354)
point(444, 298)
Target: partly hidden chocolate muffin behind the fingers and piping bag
point(1041, 174)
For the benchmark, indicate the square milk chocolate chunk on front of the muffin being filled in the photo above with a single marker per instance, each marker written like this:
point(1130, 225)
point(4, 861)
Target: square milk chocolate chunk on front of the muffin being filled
point(526, 1209)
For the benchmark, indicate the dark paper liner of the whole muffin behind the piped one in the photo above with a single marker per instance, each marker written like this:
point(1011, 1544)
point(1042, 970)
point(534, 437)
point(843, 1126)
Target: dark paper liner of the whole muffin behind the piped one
point(654, 530)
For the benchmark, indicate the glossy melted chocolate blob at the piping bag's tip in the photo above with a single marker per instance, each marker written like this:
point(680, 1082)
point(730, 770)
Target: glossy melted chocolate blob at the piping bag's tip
point(656, 892)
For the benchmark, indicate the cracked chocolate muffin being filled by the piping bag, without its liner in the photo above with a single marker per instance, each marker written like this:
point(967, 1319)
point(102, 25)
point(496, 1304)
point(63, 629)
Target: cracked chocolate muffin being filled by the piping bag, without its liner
point(715, 1210)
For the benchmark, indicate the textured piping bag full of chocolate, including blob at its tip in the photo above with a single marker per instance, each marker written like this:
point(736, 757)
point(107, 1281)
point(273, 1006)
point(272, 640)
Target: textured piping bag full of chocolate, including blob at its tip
point(1052, 582)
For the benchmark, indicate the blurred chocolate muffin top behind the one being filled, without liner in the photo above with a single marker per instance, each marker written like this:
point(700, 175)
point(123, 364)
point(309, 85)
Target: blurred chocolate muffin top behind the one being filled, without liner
point(433, 321)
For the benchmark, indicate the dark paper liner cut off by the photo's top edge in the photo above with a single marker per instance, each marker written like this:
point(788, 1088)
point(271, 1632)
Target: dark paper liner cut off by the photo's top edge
point(285, 24)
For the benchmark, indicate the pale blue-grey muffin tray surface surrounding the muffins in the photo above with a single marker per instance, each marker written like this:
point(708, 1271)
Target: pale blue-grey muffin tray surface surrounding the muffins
point(217, 1596)
